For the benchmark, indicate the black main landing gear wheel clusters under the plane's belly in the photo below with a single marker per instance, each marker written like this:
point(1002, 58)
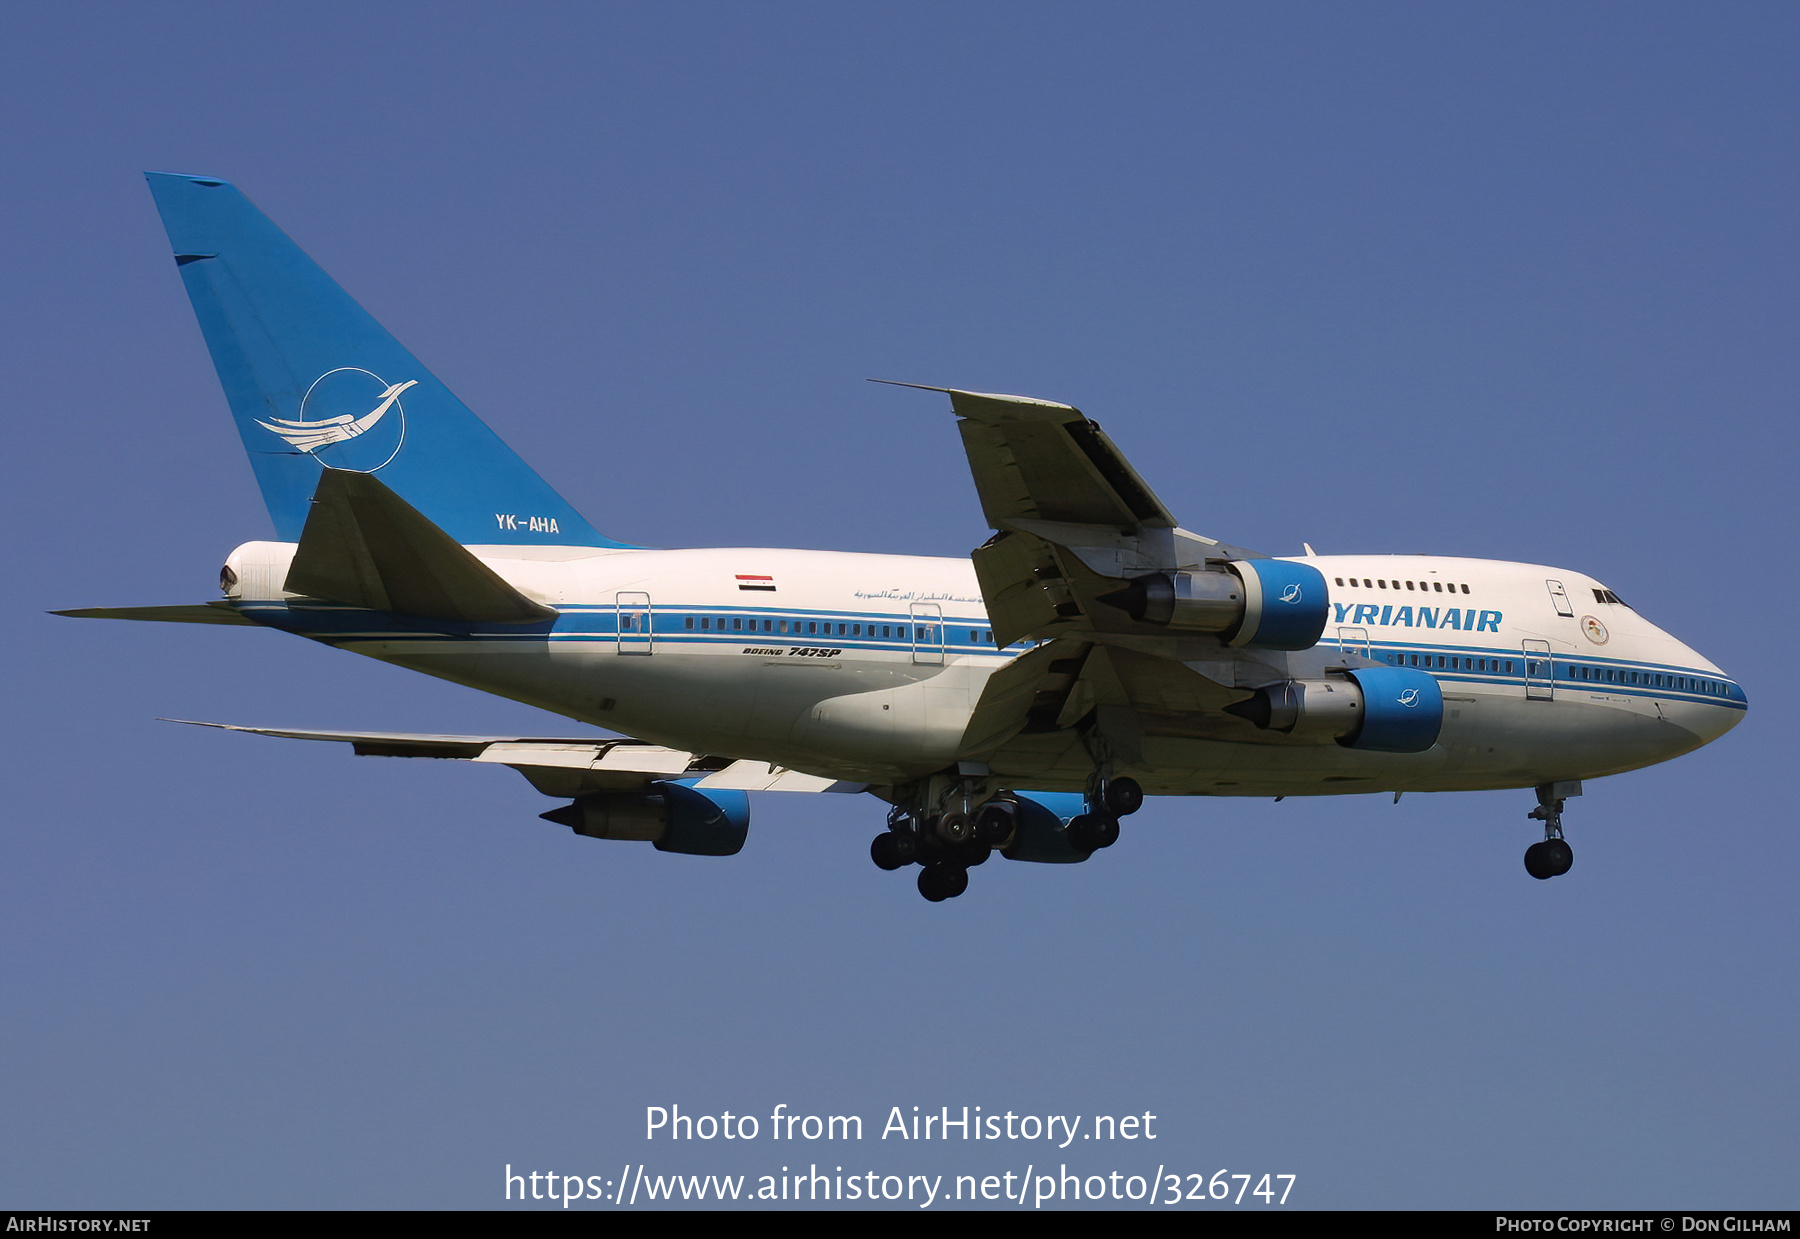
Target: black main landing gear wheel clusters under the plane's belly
point(946, 846)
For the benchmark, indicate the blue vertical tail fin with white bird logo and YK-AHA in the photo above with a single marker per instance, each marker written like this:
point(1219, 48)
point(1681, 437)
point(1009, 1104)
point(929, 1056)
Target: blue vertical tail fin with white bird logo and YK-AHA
point(314, 383)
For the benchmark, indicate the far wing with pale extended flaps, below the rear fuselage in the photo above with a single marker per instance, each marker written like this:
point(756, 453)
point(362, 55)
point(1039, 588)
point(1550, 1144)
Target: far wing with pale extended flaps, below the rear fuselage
point(571, 766)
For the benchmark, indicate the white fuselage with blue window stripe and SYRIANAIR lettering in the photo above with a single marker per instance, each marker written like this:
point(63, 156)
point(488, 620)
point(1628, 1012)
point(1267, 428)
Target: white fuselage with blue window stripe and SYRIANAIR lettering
point(868, 667)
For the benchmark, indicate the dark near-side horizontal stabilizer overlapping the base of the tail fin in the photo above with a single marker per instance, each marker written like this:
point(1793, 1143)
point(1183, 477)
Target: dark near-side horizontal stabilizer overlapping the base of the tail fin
point(370, 548)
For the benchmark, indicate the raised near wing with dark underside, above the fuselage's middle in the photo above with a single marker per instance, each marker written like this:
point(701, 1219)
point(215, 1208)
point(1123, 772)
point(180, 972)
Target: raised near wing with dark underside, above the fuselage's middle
point(1075, 525)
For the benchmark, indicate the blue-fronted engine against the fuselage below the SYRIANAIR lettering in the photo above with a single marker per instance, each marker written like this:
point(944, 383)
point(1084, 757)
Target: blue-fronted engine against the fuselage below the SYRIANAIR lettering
point(1380, 709)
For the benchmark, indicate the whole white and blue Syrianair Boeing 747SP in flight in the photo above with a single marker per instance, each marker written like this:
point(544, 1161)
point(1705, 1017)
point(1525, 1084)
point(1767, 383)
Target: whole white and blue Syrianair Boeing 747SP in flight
point(1020, 701)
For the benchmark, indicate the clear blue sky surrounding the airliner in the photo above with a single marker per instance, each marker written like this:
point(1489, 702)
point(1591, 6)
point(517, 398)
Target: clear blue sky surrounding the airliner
point(1511, 282)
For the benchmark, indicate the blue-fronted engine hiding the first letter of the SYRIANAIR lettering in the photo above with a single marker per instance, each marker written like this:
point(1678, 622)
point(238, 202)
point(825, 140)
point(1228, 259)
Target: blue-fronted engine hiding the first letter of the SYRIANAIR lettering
point(1263, 604)
